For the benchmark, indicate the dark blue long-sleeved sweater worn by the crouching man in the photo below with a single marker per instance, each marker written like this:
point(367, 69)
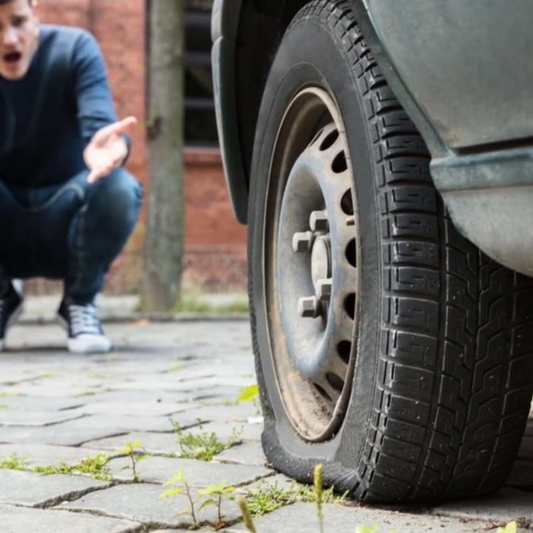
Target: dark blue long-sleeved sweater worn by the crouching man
point(48, 117)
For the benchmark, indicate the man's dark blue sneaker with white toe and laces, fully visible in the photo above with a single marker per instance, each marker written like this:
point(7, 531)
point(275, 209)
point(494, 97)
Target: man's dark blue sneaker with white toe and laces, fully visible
point(85, 333)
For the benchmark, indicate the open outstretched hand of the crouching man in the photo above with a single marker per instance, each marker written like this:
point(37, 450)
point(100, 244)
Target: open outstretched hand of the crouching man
point(107, 149)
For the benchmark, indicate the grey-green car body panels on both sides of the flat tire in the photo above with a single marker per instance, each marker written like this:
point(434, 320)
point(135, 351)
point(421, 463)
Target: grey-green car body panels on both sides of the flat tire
point(460, 69)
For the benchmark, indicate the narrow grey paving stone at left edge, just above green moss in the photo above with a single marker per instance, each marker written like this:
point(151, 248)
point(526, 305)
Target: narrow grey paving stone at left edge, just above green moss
point(44, 455)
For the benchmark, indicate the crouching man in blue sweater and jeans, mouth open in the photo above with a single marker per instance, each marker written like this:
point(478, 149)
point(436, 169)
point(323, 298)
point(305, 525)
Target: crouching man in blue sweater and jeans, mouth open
point(67, 207)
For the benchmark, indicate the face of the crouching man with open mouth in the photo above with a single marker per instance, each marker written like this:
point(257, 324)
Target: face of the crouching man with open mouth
point(19, 37)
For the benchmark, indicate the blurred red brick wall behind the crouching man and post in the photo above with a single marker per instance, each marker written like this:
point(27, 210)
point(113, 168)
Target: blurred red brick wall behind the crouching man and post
point(215, 256)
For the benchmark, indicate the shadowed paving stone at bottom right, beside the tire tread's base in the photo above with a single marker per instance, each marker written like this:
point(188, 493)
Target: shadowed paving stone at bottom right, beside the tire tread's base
point(505, 506)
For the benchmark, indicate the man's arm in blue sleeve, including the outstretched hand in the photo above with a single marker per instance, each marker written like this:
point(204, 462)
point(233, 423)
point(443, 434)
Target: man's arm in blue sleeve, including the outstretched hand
point(107, 146)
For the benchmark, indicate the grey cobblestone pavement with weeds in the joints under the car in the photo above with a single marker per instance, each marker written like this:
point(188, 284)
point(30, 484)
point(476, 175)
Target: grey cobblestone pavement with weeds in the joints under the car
point(58, 409)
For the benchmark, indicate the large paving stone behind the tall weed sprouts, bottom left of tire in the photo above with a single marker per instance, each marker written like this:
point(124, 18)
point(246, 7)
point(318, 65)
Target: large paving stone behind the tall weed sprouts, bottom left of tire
point(143, 503)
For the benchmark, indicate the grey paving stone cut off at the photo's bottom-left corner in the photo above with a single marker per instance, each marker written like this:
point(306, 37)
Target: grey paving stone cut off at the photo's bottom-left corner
point(23, 520)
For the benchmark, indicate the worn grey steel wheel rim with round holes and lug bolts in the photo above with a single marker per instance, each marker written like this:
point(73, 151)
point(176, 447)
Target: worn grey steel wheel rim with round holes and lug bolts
point(311, 253)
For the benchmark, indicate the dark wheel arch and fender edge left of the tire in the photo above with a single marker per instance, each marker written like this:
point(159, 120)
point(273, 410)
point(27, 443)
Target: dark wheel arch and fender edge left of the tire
point(246, 36)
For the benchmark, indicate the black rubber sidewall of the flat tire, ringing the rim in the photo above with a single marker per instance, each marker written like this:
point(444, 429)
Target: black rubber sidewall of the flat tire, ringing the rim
point(321, 62)
